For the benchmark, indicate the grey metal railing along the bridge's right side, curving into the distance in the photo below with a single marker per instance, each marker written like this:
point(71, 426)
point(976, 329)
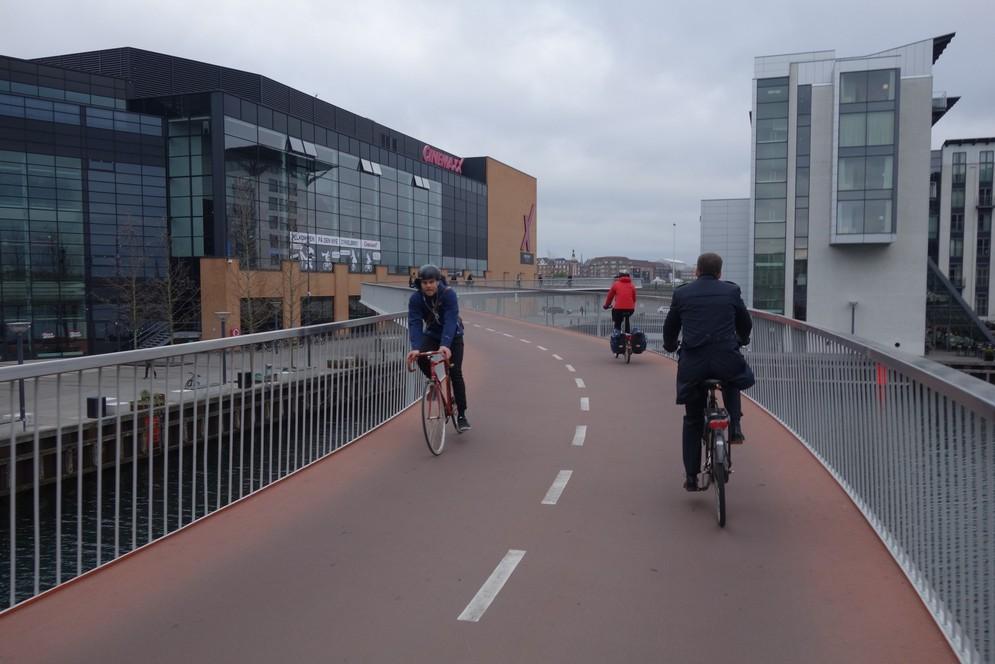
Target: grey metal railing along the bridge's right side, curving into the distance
point(912, 442)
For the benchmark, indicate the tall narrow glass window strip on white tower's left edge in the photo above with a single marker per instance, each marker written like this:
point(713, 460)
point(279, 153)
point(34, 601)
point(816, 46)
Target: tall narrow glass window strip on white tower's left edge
point(770, 194)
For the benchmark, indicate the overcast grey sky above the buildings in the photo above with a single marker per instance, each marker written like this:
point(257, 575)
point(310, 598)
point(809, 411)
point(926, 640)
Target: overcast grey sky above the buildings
point(628, 113)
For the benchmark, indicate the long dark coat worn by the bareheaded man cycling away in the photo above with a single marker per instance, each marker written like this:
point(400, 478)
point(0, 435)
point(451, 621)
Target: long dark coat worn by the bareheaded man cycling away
point(715, 323)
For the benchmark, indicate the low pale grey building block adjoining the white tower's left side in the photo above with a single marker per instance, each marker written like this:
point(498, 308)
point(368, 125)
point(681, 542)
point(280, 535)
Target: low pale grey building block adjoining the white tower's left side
point(725, 230)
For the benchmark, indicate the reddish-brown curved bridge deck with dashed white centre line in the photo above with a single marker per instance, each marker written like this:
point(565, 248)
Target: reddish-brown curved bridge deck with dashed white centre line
point(371, 555)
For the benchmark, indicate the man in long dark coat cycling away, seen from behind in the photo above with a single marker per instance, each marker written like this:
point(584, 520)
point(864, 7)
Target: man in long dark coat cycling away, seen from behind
point(715, 323)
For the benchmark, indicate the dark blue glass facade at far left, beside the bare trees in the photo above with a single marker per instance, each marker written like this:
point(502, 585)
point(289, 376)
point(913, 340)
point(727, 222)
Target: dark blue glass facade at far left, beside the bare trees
point(82, 208)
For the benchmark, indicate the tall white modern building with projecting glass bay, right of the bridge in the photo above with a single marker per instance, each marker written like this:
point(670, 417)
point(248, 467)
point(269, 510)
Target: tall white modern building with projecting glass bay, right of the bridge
point(839, 194)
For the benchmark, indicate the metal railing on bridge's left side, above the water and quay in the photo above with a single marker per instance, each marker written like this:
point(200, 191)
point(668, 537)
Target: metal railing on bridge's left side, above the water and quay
point(116, 451)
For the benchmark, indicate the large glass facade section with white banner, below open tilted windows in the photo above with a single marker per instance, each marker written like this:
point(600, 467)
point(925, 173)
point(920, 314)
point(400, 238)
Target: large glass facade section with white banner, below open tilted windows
point(290, 199)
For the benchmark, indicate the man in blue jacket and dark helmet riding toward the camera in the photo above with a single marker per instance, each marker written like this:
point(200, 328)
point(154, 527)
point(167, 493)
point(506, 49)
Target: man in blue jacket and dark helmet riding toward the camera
point(434, 324)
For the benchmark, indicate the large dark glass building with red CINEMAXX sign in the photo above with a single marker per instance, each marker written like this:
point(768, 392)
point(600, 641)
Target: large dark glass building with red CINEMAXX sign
point(116, 164)
